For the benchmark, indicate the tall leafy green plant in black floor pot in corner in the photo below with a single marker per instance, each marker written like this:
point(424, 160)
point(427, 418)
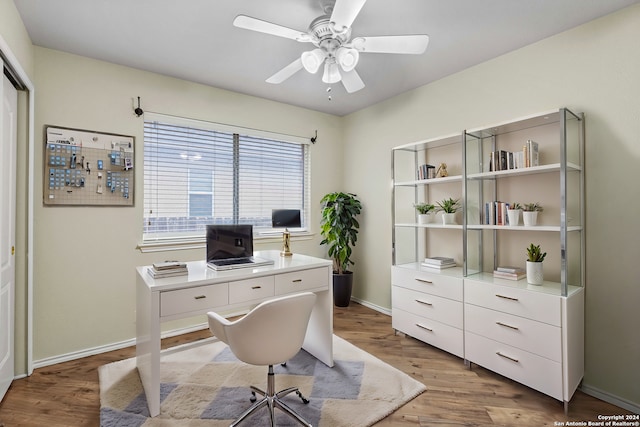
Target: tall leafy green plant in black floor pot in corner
point(339, 229)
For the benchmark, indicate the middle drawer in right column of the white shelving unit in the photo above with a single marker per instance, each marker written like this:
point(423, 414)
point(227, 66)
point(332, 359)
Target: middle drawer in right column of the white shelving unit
point(535, 337)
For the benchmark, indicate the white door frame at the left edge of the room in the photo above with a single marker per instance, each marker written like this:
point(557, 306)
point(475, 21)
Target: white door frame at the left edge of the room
point(12, 62)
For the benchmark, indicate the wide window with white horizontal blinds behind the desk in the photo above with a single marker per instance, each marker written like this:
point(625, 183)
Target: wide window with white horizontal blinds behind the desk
point(198, 173)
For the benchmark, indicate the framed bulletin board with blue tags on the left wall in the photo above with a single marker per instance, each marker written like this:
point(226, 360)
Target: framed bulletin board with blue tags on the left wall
point(86, 168)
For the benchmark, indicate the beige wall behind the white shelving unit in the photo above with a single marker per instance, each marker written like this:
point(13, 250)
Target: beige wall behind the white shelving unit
point(595, 69)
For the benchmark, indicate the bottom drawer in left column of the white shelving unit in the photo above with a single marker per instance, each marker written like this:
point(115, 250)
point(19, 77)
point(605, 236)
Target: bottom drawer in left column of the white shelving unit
point(432, 332)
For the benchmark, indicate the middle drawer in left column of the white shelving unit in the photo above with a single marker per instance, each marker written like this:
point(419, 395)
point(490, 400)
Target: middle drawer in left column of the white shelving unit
point(426, 305)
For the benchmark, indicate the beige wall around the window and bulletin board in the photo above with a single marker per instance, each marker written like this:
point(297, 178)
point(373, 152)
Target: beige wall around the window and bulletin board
point(85, 258)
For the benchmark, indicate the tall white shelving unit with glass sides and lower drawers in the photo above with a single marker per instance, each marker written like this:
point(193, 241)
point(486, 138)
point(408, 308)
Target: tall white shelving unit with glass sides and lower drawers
point(532, 334)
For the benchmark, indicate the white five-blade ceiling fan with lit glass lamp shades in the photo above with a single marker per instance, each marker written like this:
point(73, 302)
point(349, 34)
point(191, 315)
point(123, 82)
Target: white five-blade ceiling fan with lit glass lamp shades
point(331, 35)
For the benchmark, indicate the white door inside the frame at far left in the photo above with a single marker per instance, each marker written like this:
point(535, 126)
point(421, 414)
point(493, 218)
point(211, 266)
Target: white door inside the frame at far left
point(8, 141)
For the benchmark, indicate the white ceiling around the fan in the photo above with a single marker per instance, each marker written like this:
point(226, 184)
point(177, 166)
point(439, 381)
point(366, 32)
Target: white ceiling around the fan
point(195, 40)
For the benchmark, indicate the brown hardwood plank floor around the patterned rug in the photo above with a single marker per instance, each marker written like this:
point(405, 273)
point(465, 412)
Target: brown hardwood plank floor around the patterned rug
point(67, 394)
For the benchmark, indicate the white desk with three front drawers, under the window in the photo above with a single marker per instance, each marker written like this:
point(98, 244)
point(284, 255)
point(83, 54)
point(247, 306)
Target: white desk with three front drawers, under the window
point(204, 290)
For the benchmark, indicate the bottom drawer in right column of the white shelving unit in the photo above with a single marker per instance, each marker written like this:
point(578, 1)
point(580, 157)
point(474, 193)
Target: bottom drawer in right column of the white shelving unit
point(529, 369)
